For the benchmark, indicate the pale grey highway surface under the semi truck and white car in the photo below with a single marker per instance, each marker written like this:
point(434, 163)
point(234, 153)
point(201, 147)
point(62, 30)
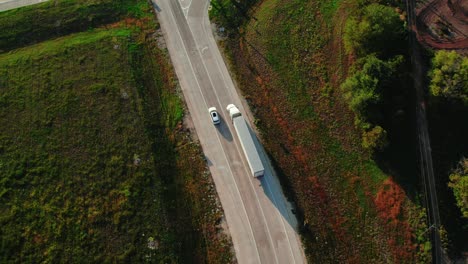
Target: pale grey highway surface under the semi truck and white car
point(259, 218)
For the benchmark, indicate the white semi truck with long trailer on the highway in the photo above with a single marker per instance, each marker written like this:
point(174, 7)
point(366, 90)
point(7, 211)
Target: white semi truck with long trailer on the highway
point(246, 140)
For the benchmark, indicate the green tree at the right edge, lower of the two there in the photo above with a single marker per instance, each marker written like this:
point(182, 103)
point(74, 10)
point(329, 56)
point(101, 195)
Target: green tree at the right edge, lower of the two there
point(459, 184)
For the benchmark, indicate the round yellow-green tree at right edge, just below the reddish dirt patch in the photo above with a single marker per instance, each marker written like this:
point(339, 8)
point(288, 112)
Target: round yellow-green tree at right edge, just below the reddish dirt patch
point(449, 76)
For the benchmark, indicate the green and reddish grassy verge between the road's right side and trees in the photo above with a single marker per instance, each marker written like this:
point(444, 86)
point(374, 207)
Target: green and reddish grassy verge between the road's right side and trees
point(292, 62)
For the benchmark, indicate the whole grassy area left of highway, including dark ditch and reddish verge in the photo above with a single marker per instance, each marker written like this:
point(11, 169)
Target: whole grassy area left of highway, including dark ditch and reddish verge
point(94, 164)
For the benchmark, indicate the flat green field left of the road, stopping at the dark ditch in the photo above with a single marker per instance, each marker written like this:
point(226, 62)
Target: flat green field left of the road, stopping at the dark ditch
point(80, 180)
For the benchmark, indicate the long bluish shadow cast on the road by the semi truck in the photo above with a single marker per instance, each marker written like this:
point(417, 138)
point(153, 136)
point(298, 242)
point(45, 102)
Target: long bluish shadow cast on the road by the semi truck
point(272, 188)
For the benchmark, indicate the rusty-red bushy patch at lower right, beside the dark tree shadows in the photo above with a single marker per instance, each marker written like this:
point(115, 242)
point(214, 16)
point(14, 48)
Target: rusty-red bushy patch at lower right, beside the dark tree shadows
point(389, 203)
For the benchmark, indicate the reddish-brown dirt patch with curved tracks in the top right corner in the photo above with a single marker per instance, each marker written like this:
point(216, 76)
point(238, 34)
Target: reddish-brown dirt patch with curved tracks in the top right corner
point(442, 24)
